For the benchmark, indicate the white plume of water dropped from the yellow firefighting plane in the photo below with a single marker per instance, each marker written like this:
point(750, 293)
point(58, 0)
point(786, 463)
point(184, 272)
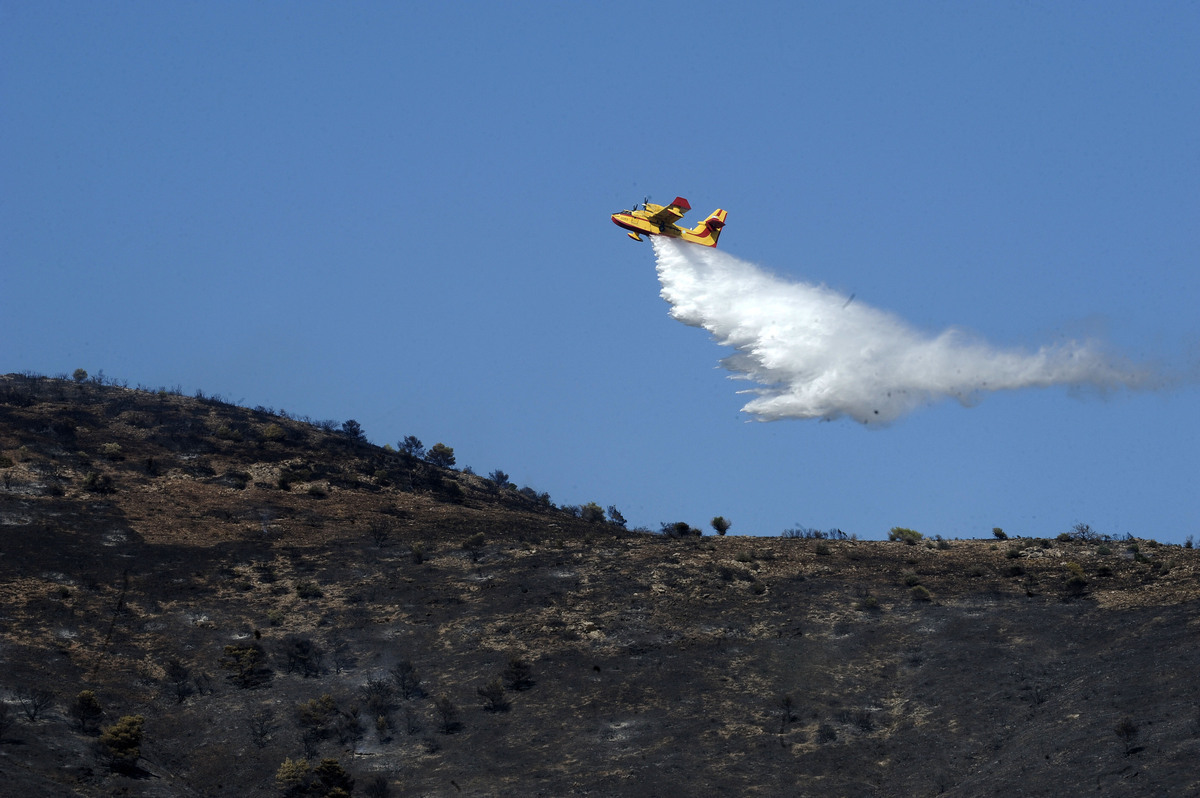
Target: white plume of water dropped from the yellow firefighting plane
point(819, 355)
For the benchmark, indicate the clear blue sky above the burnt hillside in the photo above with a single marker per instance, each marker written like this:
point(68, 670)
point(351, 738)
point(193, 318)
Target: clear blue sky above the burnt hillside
point(399, 213)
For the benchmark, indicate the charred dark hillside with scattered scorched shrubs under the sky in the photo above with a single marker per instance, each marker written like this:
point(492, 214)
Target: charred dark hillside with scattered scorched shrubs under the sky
point(262, 590)
